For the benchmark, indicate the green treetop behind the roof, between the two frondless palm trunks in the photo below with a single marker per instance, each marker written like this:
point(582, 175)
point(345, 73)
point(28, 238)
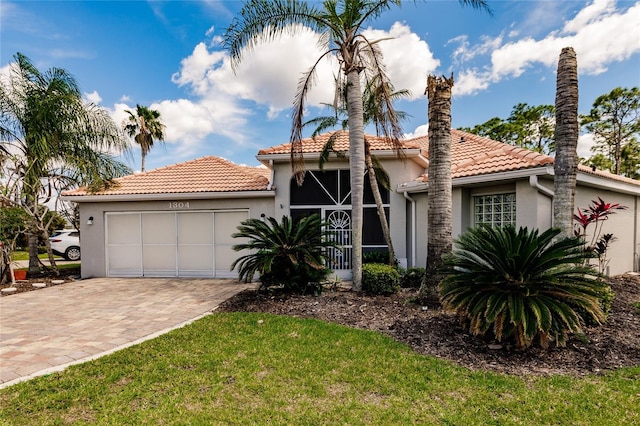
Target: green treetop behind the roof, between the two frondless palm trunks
point(529, 127)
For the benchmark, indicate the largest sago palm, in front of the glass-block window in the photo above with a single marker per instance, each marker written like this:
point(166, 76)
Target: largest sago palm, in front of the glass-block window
point(521, 286)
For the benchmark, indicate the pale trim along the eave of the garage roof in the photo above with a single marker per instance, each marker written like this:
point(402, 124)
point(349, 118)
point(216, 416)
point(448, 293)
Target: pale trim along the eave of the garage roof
point(167, 196)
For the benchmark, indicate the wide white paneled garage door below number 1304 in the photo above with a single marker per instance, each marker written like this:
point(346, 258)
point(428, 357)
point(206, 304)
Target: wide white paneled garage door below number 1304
point(172, 244)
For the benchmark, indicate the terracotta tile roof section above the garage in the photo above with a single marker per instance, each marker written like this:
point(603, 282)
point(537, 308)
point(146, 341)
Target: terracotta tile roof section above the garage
point(206, 174)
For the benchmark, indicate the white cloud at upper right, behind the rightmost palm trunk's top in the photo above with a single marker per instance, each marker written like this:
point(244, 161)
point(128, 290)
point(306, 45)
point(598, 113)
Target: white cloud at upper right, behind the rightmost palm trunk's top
point(600, 33)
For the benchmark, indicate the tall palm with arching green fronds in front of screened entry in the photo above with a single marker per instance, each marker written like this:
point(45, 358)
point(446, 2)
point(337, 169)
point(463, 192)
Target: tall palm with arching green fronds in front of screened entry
point(340, 24)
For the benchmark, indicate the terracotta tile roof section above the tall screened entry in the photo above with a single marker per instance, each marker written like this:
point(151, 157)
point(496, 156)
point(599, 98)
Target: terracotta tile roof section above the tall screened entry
point(341, 144)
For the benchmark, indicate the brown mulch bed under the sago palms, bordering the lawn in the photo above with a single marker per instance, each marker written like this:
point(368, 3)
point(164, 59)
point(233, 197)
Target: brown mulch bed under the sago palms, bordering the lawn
point(432, 331)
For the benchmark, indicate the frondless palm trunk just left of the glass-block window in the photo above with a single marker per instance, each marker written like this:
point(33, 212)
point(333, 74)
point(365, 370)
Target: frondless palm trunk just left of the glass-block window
point(440, 238)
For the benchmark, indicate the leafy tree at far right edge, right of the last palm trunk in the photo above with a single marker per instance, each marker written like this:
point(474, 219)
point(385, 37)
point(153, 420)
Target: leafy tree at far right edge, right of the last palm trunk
point(614, 121)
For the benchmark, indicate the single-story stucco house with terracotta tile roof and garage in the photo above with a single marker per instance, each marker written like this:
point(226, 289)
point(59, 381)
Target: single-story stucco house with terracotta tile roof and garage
point(177, 221)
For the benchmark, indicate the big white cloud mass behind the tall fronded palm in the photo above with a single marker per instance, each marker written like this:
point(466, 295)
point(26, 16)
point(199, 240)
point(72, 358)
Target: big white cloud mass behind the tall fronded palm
point(268, 76)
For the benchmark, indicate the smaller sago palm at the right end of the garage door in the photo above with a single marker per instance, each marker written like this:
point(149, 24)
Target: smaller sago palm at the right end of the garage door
point(290, 254)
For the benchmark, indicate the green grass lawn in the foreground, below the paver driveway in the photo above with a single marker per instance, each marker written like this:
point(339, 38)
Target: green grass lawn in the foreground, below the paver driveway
point(239, 368)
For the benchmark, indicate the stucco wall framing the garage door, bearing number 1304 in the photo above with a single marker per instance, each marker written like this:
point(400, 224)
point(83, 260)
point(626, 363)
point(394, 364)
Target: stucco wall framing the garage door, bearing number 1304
point(93, 236)
